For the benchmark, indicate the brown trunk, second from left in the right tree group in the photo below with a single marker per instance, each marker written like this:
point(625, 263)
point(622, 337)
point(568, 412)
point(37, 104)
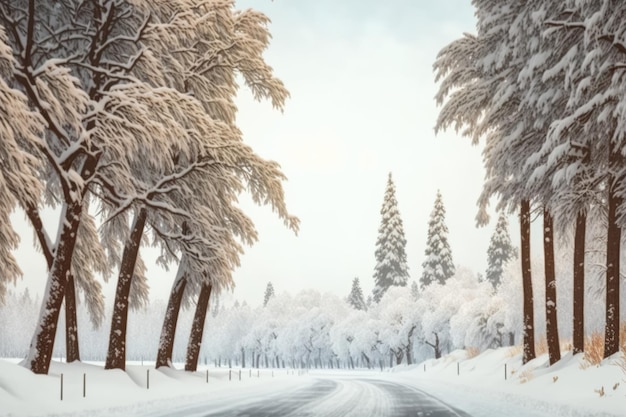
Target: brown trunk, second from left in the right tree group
point(552, 328)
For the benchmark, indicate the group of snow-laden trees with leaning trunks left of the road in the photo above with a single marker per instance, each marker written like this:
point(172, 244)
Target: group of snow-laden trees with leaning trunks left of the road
point(120, 115)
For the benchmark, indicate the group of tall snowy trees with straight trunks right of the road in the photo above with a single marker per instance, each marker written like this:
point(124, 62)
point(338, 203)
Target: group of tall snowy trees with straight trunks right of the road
point(541, 86)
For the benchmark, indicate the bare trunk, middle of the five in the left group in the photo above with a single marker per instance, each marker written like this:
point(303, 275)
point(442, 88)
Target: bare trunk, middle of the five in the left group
point(116, 354)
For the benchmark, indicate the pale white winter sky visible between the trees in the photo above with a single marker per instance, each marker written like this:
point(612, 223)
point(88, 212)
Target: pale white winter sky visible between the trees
point(362, 105)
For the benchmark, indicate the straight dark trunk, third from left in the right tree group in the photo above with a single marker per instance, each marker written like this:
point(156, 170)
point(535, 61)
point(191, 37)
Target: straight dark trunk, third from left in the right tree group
point(579, 284)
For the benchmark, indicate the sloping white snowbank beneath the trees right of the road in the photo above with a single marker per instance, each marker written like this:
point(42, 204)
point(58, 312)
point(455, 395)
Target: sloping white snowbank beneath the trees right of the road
point(569, 388)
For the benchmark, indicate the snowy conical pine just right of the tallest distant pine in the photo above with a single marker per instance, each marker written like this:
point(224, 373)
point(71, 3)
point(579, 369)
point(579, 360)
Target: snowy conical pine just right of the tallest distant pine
point(438, 266)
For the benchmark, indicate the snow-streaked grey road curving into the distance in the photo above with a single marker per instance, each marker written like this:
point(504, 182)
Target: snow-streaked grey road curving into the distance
point(342, 397)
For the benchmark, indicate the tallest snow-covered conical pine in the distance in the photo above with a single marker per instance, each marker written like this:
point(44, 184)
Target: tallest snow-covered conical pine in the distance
point(391, 267)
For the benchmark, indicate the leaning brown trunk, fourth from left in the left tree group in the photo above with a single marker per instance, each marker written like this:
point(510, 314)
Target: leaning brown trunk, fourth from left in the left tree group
point(168, 331)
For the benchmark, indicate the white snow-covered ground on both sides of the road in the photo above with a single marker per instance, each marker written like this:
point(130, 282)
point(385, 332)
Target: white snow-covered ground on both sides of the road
point(476, 385)
